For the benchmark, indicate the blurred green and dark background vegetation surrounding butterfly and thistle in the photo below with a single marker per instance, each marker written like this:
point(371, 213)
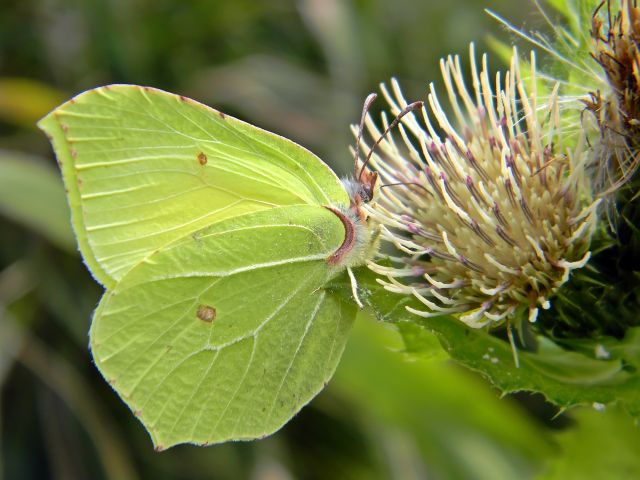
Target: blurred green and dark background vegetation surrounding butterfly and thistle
point(301, 69)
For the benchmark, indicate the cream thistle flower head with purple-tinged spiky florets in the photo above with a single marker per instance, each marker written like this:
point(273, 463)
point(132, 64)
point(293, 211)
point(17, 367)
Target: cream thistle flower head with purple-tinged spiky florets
point(489, 217)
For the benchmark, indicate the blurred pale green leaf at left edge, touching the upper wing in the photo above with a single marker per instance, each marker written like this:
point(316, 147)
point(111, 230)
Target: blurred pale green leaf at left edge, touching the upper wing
point(32, 194)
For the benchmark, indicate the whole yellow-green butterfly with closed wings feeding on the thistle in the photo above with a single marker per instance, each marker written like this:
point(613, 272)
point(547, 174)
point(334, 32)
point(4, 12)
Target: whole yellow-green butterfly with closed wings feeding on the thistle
point(216, 242)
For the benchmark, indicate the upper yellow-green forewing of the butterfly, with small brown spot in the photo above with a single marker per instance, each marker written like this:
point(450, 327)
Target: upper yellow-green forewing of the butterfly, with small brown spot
point(143, 167)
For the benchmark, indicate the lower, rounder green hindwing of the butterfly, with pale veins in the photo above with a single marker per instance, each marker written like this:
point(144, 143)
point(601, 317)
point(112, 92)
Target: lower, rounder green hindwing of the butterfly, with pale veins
point(227, 333)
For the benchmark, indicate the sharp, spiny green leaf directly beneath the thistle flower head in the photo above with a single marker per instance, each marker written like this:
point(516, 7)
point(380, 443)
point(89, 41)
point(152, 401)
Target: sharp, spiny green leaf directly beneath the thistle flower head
point(565, 377)
